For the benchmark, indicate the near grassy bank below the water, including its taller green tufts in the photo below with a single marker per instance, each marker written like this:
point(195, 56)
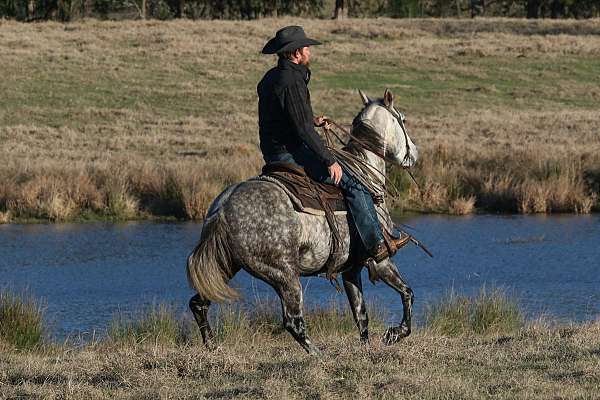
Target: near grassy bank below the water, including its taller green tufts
point(493, 355)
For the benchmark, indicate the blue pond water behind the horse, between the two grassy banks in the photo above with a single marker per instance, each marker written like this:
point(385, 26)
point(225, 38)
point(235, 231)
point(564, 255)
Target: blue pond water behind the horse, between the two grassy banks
point(88, 273)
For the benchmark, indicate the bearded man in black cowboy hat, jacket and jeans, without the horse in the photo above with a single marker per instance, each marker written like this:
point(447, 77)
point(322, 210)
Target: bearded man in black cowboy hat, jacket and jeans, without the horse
point(287, 134)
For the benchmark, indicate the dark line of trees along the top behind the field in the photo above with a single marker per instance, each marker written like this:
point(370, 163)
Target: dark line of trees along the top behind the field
point(66, 10)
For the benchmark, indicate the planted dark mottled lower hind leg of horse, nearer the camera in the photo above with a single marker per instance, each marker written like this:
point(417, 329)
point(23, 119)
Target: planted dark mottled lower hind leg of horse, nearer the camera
point(293, 318)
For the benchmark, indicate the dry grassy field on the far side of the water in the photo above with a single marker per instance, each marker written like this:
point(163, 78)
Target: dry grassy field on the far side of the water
point(137, 119)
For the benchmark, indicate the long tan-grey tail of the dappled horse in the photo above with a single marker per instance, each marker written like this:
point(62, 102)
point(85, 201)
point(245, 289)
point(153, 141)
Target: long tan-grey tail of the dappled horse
point(209, 267)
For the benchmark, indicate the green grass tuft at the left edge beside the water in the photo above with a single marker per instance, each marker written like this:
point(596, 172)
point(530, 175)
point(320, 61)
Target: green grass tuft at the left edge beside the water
point(21, 320)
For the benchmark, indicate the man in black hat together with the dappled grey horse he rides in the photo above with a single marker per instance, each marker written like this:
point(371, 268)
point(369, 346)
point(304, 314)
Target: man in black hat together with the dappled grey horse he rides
point(255, 226)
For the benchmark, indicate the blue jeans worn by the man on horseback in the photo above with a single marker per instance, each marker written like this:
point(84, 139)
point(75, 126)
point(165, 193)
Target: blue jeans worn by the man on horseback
point(358, 198)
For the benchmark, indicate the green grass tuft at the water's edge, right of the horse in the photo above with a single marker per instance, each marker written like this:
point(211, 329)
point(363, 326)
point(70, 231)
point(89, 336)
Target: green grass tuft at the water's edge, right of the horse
point(492, 312)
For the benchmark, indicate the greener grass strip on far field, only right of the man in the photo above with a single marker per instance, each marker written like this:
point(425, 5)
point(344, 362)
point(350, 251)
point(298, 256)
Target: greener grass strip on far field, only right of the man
point(475, 82)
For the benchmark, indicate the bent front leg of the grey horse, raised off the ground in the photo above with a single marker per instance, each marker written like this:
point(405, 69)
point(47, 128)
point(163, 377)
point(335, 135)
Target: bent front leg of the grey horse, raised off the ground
point(387, 272)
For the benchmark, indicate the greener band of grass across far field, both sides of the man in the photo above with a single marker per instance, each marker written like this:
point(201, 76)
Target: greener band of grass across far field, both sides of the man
point(139, 85)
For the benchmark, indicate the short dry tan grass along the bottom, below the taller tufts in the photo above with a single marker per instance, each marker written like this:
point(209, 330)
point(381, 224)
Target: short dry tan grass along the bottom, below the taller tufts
point(537, 362)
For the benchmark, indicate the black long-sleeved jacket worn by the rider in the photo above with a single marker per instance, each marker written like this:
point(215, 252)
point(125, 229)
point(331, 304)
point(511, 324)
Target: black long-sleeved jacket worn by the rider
point(285, 116)
